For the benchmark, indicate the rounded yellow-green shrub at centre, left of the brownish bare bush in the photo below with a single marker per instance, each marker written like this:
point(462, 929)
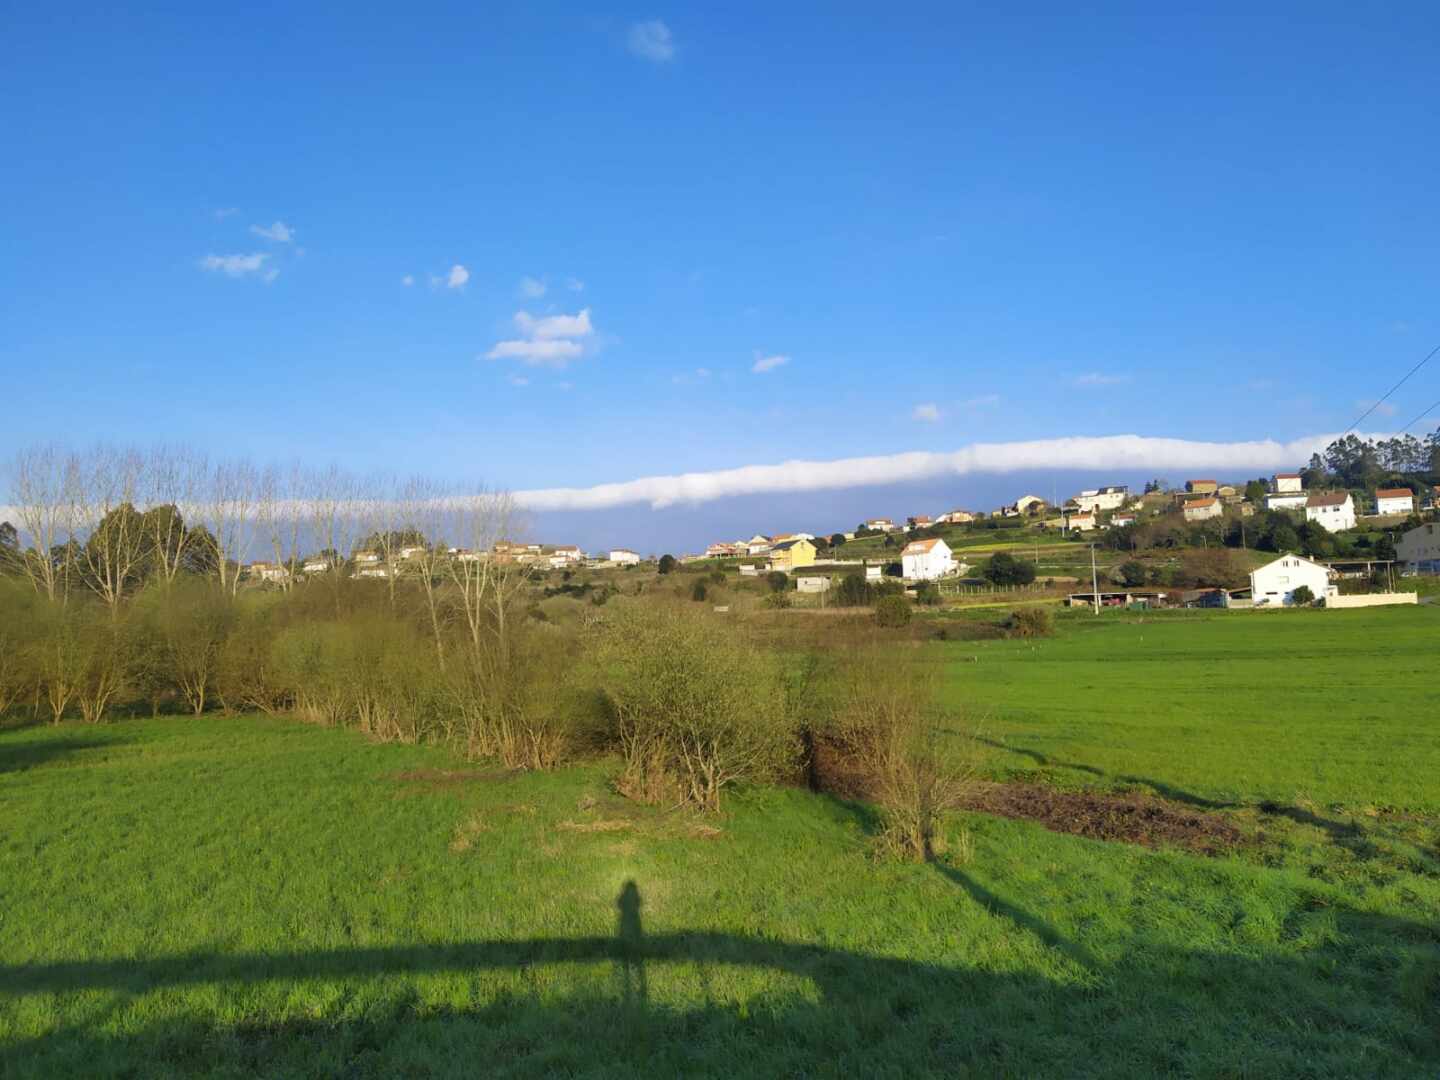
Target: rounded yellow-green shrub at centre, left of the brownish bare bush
point(696, 708)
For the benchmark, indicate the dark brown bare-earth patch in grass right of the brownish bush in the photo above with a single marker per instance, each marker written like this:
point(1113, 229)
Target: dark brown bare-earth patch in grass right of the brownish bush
point(1128, 819)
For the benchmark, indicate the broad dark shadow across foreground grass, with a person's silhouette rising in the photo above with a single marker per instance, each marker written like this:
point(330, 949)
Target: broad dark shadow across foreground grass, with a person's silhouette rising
point(865, 1014)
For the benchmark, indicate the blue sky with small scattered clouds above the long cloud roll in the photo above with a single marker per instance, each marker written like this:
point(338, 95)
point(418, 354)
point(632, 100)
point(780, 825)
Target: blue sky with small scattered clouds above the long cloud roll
point(947, 228)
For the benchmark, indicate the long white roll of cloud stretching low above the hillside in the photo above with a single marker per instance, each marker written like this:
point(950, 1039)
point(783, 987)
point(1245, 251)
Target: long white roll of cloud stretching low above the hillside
point(1118, 453)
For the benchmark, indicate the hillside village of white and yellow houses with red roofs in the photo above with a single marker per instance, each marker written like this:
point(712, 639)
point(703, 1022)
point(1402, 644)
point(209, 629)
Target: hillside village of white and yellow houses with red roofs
point(1324, 539)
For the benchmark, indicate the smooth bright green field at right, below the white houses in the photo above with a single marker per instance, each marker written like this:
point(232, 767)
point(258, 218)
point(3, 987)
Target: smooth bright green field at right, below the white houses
point(1333, 708)
